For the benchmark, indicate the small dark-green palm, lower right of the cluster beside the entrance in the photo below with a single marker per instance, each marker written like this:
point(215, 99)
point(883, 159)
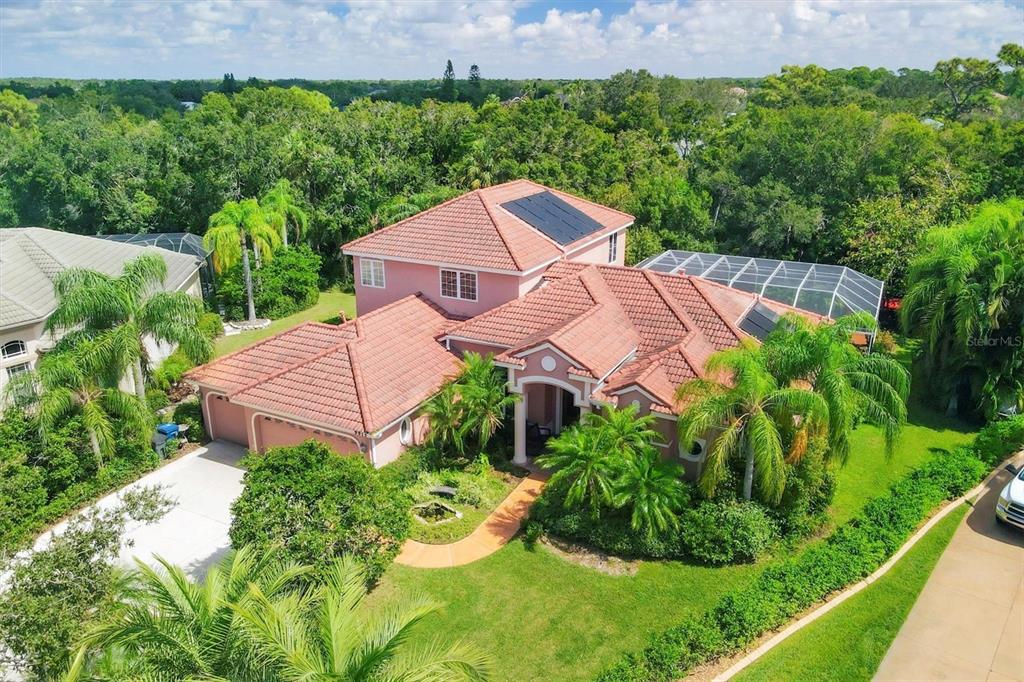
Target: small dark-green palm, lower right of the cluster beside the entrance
point(653, 488)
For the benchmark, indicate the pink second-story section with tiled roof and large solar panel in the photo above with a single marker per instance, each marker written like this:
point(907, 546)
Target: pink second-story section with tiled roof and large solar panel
point(485, 248)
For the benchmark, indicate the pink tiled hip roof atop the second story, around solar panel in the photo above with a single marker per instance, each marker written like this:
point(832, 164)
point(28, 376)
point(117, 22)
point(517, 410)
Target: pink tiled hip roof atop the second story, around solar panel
point(477, 231)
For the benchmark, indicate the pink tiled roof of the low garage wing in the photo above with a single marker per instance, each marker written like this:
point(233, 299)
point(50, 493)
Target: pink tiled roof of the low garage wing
point(359, 377)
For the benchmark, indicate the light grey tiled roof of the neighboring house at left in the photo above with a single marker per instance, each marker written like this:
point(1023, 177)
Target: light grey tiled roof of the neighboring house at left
point(32, 258)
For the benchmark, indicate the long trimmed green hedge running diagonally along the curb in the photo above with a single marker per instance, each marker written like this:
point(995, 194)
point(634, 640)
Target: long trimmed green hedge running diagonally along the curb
point(851, 553)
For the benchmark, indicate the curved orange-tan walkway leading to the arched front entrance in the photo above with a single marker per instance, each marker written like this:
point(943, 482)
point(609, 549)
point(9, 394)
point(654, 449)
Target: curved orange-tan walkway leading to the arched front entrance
point(490, 537)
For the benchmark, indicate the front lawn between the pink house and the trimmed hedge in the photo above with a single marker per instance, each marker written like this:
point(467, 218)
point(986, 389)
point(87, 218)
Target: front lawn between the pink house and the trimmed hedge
point(544, 618)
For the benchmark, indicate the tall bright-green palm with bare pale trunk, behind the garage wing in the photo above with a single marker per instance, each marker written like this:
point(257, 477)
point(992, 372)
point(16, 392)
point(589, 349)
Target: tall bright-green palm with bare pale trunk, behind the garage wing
point(233, 230)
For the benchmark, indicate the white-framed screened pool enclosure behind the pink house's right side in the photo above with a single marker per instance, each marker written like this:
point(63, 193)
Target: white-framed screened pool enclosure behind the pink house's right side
point(829, 290)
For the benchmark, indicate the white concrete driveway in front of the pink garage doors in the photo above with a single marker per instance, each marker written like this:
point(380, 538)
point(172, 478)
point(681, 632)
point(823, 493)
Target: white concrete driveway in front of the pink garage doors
point(194, 534)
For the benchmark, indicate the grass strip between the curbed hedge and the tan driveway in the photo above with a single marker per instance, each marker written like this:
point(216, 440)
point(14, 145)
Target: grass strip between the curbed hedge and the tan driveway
point(850, 643)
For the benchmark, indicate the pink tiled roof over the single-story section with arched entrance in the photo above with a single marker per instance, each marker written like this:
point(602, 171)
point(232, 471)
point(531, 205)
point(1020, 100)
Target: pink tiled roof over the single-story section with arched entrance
point(622, 326)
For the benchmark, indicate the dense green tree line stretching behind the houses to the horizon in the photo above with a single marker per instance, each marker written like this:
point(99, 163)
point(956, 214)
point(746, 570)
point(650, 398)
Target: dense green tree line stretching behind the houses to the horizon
point(841, 166)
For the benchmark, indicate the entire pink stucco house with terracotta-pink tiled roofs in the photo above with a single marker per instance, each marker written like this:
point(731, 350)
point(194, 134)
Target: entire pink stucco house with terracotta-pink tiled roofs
point(508, 272)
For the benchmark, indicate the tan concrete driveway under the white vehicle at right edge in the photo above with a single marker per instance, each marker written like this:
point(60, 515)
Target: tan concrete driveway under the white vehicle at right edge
point(968, 623)
